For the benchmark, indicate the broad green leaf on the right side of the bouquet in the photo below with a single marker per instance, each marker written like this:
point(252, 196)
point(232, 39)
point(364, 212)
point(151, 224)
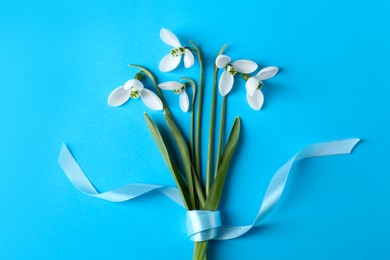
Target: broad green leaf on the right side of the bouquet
point(214, 196)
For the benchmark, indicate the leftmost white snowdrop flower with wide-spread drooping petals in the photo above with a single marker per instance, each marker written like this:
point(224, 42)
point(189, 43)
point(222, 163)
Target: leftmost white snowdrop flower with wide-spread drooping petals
point(134, 89)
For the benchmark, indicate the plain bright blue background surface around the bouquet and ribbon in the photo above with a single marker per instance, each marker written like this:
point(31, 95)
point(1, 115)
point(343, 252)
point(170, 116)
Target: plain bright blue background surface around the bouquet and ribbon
point(59, 61)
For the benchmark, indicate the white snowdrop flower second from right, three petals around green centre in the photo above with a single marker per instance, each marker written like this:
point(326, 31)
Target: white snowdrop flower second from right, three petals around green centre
point(231, 69)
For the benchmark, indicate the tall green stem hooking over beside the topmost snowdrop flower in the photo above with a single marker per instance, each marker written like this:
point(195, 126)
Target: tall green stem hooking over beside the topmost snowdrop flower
point(199, 112)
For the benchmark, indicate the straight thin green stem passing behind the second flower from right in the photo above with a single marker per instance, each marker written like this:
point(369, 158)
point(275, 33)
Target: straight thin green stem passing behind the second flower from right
point(212, 126)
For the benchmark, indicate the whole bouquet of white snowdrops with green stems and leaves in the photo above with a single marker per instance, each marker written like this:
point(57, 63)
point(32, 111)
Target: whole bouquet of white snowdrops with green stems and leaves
point(200, 189)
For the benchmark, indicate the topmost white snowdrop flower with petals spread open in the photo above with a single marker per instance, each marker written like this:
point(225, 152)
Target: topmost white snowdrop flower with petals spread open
point(172, 60)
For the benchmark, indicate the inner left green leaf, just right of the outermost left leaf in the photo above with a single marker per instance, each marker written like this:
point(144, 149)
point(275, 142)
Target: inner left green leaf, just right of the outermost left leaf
point(185, 155)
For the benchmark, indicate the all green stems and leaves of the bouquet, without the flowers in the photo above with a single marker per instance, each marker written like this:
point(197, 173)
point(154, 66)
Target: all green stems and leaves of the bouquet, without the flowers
point(197, 196)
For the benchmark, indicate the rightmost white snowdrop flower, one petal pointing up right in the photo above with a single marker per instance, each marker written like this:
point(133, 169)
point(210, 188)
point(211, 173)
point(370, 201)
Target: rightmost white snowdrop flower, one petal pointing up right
point(254, 84)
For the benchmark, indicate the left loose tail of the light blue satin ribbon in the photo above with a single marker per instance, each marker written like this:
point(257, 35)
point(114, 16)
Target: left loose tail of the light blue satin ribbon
point(76, 175)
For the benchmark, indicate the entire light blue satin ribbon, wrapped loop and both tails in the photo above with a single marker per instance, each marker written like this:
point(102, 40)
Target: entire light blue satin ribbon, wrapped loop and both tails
point(202, 224)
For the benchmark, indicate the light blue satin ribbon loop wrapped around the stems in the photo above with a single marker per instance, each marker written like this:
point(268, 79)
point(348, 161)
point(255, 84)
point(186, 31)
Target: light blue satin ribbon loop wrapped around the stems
point(202, 225)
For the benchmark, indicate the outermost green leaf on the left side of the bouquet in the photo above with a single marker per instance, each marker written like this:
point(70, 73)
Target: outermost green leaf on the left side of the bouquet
point(164, 152)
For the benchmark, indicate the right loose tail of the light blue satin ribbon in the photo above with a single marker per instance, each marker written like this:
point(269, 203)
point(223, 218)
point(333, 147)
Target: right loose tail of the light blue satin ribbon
point(278, 182)
